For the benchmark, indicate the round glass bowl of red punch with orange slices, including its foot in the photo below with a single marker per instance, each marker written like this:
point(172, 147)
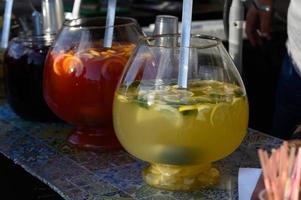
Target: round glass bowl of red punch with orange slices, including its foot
point(81, 76)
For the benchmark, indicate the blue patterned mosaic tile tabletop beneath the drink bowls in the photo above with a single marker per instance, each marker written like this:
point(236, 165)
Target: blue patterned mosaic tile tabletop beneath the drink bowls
point(78, 175)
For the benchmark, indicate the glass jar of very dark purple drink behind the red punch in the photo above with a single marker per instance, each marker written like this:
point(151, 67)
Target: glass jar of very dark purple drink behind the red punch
point(23, 77)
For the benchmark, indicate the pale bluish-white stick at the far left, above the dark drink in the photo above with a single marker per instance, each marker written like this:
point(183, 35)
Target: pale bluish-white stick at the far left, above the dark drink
point(6, 23)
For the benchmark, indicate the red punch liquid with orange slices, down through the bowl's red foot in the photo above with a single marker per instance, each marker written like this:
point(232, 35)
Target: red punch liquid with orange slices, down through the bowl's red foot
point(79, 87)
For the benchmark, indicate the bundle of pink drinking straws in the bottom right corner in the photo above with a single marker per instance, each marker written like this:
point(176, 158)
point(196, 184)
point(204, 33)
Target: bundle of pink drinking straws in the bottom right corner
point(281, 172)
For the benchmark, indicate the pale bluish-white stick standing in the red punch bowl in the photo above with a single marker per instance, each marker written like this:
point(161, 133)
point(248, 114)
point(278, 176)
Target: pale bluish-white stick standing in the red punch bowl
point(110, 23)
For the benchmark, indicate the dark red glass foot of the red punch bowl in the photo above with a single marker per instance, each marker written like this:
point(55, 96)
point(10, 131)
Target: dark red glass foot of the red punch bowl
point(93, 139)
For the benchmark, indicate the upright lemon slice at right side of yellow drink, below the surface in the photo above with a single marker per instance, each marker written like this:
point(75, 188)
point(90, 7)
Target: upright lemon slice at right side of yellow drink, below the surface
point(219, 113)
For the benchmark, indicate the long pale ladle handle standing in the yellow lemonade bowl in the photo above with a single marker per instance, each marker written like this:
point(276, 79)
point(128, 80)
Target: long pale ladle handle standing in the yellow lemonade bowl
point(185, 43)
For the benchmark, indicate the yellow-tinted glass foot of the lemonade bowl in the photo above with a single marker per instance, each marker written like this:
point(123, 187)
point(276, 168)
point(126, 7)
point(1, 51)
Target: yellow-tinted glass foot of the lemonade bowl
point(181, 178)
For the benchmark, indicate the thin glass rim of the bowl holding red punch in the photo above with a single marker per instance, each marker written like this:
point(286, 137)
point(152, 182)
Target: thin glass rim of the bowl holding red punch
point(78, 23)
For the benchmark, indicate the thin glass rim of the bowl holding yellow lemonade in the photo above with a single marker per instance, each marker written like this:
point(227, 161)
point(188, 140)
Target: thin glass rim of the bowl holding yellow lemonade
point(199, 36)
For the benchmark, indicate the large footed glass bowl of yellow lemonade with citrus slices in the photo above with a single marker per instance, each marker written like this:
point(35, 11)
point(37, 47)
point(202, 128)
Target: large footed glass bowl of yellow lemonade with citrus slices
point(180, 131)
